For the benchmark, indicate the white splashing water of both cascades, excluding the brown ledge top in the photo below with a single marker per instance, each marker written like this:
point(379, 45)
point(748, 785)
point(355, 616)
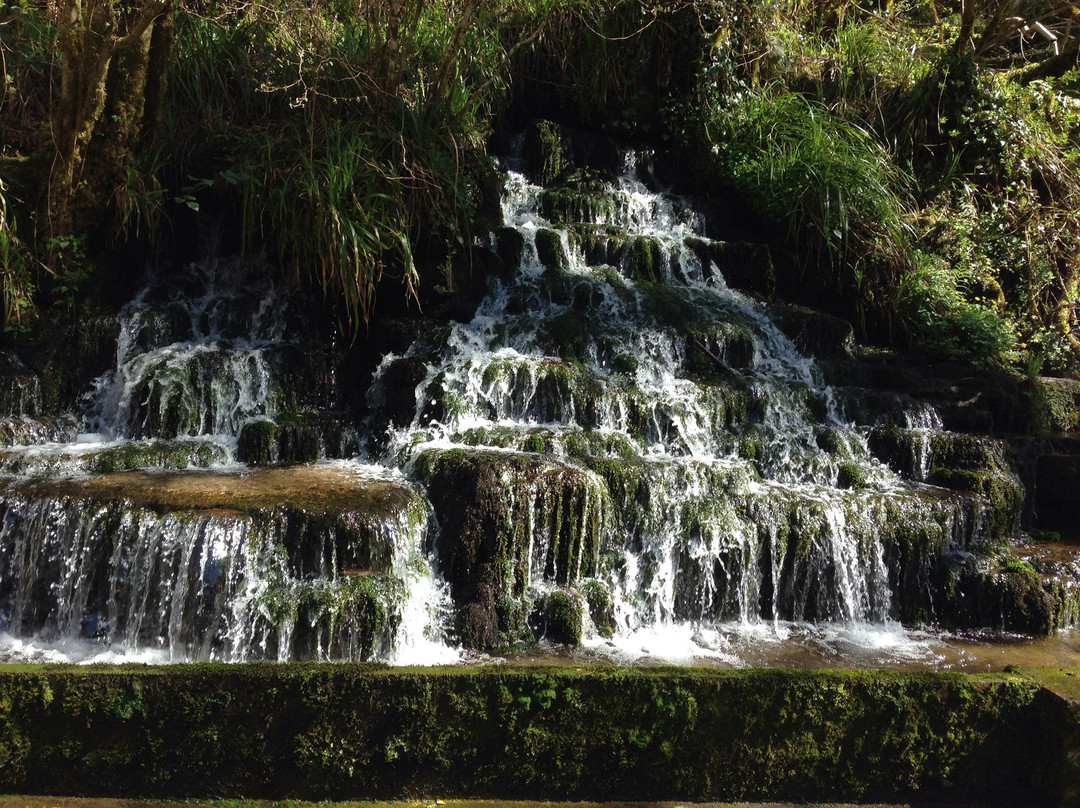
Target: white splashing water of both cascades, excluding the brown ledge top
point(699, 568)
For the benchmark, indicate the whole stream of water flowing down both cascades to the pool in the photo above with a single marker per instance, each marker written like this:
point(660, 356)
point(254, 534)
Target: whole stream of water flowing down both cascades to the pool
point(715, 490)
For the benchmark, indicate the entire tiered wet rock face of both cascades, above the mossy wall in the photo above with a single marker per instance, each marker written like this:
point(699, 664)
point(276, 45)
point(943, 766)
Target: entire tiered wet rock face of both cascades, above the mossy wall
point(606, 434)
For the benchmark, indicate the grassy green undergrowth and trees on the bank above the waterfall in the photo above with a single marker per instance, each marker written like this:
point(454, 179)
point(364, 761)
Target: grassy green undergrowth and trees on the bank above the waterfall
point(914, 169)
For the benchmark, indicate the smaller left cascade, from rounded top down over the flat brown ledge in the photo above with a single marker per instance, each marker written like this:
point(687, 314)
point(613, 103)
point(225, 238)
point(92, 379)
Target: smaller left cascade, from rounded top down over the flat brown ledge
point(317, 562)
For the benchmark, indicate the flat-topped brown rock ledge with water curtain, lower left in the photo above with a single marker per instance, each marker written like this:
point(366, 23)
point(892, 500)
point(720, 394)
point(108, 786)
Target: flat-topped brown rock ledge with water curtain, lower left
point(283, 564)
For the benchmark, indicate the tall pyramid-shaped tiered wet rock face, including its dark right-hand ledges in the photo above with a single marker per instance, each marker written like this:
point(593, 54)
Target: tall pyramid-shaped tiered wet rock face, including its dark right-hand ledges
point(728, 480)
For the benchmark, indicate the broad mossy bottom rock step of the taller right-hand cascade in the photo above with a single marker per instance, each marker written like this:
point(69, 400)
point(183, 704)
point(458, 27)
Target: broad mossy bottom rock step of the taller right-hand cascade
point(517, 526)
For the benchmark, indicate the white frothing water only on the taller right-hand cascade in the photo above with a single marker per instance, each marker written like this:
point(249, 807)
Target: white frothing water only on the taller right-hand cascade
point(699, 568)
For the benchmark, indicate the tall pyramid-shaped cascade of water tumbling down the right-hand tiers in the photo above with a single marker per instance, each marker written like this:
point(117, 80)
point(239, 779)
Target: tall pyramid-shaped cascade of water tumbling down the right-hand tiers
point(617, 349)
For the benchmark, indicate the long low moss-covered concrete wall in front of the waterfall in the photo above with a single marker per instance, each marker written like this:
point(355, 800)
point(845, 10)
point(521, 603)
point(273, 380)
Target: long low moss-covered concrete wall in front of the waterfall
point(265, 731)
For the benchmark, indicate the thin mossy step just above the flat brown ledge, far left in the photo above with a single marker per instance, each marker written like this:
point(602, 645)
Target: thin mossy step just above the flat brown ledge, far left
point(101, 460)
